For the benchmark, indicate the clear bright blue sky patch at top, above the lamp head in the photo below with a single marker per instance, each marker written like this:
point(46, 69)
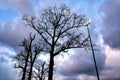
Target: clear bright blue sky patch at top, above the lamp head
point(90, 7)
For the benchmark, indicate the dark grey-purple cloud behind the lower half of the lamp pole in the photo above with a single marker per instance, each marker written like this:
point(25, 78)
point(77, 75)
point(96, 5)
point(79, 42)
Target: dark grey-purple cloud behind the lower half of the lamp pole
point(82, 63)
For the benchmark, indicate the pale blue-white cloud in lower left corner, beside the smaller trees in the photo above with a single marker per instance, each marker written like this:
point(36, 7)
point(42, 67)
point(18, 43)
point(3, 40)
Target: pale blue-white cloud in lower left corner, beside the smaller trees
point(6, 69)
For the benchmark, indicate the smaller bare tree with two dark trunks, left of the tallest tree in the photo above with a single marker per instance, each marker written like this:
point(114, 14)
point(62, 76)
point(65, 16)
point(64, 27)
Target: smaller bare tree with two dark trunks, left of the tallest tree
point(27, 57)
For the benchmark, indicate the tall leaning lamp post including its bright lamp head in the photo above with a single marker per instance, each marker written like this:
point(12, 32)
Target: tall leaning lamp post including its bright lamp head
point(96, 68)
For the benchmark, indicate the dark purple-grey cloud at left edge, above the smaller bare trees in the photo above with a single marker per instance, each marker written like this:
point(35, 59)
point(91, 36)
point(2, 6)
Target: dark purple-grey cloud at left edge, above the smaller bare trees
point(12, 33)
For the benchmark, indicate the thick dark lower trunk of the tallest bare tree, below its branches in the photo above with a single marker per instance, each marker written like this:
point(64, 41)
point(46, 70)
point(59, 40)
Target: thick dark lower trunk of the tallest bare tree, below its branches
point(51, 64)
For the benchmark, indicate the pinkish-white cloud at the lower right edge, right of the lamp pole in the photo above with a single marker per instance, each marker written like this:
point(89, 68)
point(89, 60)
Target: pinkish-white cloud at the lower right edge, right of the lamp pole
point(113, 70)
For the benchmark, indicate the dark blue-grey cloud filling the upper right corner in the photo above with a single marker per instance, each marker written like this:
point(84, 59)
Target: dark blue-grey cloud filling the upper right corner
point(111, 24)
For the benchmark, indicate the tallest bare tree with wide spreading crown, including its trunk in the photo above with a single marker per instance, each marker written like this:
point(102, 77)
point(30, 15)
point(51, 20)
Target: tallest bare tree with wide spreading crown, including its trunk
point(60, 30)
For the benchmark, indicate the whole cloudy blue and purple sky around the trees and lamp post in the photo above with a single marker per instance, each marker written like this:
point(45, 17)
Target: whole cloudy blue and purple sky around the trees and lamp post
point(104, 29)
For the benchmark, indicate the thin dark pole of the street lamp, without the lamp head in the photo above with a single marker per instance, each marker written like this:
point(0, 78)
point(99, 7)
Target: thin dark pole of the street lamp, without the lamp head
point(97, 72)
